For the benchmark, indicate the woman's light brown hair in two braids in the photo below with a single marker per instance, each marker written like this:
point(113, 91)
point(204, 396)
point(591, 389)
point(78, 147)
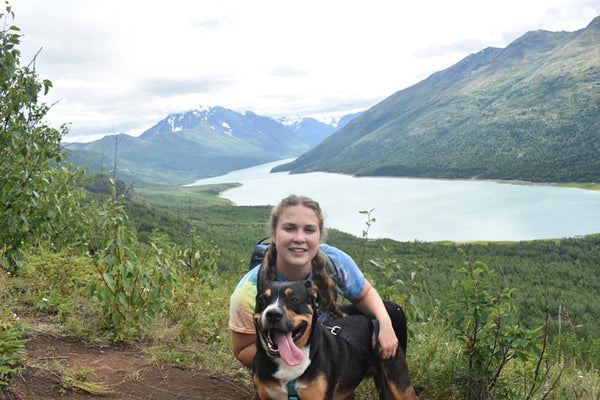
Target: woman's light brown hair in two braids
point(325, 284)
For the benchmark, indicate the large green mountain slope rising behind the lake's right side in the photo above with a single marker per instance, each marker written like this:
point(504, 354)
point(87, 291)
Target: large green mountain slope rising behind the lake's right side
point(530, 111)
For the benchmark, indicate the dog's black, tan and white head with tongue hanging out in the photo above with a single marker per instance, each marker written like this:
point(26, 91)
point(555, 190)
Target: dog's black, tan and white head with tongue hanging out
point(284, 317)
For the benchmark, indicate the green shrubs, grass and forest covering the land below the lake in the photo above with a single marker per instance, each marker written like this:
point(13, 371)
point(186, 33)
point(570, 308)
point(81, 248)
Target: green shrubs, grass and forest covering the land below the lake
point(434, 282)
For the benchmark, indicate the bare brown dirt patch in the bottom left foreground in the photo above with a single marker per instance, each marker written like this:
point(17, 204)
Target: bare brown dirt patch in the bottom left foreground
point(121, 372)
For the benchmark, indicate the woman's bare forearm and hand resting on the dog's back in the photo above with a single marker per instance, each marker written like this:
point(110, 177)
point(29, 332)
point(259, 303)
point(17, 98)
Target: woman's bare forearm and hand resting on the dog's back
point(370, 303)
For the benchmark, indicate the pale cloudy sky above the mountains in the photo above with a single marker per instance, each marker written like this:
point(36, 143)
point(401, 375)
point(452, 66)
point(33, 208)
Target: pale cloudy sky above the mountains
point(120, 66)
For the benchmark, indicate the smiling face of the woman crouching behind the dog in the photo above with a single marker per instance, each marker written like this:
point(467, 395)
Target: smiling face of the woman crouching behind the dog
point(297, 237)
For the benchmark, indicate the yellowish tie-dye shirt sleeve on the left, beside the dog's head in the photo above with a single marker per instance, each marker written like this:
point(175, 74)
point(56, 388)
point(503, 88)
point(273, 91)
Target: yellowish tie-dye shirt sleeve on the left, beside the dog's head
point(242, 304)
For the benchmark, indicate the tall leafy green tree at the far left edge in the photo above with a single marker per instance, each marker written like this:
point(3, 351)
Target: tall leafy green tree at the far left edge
point(37, 188)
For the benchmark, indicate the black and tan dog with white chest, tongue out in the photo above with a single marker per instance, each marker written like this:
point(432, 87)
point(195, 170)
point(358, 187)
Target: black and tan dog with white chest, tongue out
point(320, 361)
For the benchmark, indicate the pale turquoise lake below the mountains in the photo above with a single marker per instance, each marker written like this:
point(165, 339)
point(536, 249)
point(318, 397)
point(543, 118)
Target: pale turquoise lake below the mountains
point(408, 209)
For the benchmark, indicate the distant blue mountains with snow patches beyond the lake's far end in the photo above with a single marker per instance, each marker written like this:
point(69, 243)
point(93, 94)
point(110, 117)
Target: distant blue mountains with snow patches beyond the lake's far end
point(187, 146)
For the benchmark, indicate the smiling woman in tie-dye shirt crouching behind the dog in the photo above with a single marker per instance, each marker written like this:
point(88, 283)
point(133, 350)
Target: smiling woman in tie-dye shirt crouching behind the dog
point(296, 234)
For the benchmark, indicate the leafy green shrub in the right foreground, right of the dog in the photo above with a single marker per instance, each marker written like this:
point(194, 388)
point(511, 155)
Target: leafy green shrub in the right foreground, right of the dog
point(490, 344)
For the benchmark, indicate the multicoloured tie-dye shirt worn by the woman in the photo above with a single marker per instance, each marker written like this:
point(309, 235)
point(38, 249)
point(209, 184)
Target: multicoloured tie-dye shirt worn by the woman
point(351, 282)
